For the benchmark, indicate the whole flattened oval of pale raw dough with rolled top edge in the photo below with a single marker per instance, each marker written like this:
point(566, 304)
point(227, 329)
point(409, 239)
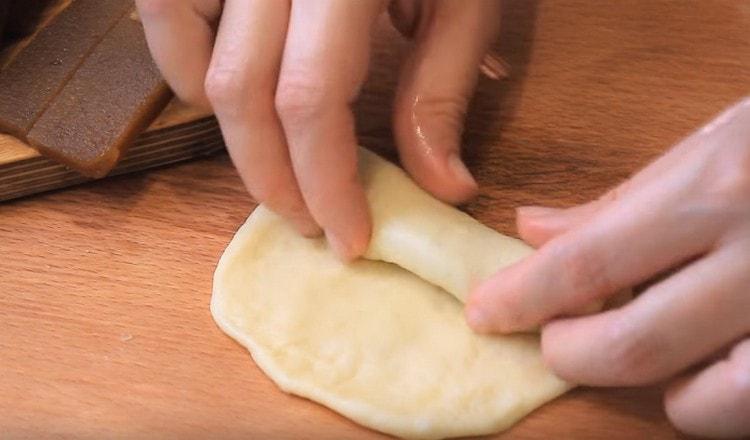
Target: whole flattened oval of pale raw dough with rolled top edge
point(374, 340)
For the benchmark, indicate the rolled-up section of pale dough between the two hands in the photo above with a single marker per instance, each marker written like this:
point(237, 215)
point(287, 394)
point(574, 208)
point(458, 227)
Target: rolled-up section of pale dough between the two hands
point(425, 236)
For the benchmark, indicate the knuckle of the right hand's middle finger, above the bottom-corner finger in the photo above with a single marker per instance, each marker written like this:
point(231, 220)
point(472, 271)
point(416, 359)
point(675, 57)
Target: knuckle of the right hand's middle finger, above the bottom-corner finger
point(631, 354)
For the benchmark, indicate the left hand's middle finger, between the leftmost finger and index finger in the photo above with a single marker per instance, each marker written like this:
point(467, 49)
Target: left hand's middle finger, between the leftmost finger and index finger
point(240, 84)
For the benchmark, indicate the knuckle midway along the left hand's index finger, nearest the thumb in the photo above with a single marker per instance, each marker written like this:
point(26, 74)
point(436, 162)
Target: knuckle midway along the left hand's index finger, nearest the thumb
point(300, 96)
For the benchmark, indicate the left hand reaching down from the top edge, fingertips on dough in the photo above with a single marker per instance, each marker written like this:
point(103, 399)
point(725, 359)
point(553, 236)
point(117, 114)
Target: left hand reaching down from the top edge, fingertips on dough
point(281, 75)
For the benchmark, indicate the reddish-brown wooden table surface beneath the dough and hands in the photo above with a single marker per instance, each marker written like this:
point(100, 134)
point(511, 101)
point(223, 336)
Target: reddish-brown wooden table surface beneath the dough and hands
point(104, 323)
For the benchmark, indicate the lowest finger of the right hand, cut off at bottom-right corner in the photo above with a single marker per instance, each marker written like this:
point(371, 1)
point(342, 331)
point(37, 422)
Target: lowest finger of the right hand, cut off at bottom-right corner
point(716, 401)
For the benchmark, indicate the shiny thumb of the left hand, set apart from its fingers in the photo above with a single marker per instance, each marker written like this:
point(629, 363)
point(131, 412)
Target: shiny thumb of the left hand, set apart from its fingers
point(434, 89)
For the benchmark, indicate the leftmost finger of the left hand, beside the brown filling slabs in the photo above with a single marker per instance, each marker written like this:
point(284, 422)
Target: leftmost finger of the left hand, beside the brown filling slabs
point(171, 26)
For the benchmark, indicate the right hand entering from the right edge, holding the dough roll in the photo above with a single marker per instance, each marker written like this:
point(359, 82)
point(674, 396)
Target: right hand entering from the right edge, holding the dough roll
point(688, 212)
